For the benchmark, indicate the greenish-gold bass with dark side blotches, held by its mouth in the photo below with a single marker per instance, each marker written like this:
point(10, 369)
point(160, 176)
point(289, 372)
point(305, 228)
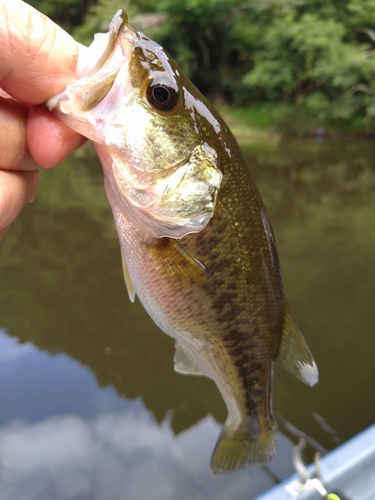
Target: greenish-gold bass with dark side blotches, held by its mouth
point(197, 245)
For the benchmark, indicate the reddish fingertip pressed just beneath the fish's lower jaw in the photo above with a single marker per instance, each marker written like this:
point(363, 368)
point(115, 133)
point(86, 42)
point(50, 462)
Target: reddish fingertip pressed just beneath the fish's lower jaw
point(49, 140)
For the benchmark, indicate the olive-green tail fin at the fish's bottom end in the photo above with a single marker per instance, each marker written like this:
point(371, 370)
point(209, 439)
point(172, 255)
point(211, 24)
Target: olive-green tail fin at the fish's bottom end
point(234, 451)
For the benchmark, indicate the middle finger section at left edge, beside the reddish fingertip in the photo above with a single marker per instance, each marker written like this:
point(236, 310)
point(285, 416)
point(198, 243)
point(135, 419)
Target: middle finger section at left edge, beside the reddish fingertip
point(14, 154)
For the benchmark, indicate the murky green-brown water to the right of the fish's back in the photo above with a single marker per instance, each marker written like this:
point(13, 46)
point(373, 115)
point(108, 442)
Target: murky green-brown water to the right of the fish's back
point(321, 201)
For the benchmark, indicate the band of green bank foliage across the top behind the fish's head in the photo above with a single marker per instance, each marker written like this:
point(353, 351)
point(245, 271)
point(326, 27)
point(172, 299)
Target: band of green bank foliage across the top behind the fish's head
point(317, 55)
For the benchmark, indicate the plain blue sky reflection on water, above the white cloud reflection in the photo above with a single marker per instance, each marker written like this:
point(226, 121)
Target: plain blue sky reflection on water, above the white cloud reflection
point(36, 385)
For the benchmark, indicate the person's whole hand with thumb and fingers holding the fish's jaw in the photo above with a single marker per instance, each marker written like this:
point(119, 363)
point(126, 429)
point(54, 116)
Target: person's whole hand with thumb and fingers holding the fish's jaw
point(37, 60)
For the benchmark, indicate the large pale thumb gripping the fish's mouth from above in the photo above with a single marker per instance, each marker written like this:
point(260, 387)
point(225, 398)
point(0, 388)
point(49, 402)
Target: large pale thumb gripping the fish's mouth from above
point(38, 58)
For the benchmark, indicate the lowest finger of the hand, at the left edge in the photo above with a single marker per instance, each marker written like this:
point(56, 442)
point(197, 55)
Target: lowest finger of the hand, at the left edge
point(16, 190)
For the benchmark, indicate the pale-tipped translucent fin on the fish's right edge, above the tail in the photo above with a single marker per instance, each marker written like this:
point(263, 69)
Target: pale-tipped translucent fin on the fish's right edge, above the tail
point(294, 355)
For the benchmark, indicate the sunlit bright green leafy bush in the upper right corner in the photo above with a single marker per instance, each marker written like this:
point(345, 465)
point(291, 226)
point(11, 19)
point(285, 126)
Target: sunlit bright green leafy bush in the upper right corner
point(318, 55)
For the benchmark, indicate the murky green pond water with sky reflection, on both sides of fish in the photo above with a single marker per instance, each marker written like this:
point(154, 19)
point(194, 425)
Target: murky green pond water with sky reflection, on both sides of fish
point(90, 407)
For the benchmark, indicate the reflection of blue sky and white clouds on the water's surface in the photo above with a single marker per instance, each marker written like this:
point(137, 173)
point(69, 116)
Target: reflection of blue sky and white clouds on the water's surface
point(97, 445)
